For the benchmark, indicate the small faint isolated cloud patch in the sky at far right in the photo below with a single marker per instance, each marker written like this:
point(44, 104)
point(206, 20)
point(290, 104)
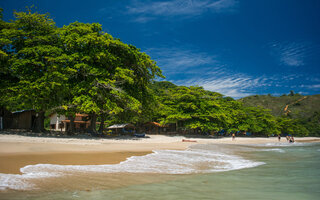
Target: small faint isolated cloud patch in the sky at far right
point(291, 53)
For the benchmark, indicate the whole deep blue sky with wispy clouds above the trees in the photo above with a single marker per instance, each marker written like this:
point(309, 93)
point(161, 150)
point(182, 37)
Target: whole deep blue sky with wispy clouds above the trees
point(235, 47)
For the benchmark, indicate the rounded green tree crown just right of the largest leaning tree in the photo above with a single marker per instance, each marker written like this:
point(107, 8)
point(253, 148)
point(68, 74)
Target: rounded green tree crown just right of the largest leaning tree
point(192, 108)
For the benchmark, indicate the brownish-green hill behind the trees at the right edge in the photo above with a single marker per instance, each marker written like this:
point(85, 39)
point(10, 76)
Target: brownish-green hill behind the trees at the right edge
point(292, 105)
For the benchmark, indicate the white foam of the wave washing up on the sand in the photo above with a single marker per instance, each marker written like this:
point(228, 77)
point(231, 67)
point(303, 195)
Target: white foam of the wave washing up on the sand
point(161, 161)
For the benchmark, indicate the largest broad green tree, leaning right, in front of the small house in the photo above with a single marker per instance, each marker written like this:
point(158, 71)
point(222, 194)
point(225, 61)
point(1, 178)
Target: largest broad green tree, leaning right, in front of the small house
point(108, 77)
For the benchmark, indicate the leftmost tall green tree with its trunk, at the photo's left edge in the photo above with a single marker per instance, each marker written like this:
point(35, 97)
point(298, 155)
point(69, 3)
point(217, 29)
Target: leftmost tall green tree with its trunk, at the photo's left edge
point(34, 59)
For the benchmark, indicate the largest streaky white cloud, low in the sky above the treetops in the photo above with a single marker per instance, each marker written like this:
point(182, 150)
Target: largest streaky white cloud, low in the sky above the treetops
point(191, 66)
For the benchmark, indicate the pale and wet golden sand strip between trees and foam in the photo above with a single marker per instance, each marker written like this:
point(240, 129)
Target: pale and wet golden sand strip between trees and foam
point(18, 151)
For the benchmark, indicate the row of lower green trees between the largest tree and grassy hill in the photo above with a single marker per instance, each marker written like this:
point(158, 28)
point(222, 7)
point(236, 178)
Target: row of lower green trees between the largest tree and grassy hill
point(195, 108)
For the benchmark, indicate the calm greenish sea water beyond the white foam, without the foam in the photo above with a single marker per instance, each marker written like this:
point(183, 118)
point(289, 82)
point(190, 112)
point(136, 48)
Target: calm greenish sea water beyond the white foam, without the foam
point(288, 172)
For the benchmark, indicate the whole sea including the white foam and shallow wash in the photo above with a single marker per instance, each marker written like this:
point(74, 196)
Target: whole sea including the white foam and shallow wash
point(204, 171)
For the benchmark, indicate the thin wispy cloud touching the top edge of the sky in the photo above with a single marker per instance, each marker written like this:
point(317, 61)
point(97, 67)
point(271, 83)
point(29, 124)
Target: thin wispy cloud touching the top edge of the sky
point(148, 10)
